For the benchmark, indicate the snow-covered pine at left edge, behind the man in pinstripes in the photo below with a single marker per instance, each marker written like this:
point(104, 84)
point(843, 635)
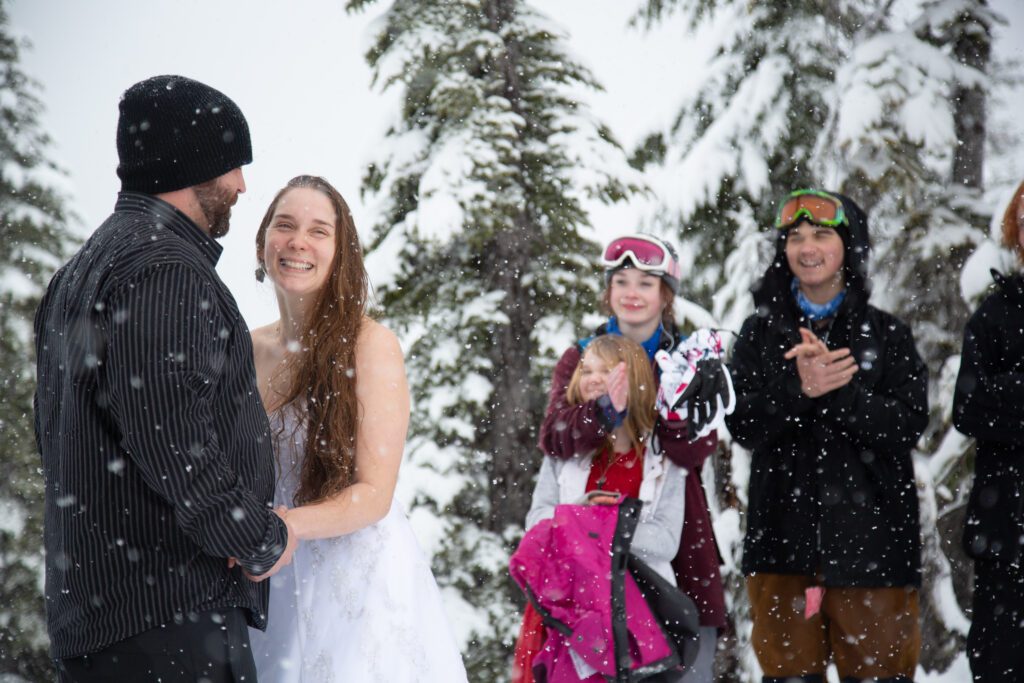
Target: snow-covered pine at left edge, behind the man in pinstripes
point(33, 242)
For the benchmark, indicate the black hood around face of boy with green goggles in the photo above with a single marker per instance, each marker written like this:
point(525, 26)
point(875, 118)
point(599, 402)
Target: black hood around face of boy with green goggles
point(774, 288)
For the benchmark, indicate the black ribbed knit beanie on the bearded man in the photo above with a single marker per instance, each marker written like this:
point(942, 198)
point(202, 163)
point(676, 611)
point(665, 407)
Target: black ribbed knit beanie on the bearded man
point(175, 133)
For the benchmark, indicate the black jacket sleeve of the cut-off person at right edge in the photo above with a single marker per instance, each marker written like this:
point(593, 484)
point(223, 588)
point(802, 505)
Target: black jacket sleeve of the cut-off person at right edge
point(989, 402)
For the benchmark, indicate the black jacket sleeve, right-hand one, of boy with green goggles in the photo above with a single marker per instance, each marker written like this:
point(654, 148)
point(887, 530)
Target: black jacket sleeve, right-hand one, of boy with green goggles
point(891, 416)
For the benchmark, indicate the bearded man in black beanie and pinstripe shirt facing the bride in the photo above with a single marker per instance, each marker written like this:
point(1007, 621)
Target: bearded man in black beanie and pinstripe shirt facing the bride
point(155, 446)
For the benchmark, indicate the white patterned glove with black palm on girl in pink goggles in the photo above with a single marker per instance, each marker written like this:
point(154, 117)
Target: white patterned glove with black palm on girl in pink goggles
point(696, 386)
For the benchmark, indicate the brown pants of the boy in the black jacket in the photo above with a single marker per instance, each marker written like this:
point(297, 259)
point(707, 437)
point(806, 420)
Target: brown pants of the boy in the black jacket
point(868, 632)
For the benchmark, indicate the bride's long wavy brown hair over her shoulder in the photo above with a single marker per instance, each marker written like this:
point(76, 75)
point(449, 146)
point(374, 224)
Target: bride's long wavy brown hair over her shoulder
point(323, 374)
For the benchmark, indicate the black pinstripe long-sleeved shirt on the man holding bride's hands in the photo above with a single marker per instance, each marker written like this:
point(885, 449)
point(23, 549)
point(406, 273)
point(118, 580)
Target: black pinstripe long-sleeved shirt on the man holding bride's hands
point(156, 449)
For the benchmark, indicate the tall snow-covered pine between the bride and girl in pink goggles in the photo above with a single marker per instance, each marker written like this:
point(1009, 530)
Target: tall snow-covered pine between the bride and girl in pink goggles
point(479, 262)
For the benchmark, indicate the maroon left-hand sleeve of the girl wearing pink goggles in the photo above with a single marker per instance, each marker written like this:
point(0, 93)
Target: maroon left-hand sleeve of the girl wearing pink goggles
point(570, 431)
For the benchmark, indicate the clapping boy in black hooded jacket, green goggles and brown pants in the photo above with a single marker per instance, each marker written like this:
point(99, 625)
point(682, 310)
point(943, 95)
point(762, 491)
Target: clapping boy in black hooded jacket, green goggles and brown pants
point(832, 397)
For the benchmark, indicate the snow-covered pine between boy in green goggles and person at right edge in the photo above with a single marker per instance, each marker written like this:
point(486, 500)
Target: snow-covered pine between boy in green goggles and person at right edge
point(912, 130)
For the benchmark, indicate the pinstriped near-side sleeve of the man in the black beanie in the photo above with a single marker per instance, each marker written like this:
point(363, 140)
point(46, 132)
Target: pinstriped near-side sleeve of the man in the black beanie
point(165, 346)
